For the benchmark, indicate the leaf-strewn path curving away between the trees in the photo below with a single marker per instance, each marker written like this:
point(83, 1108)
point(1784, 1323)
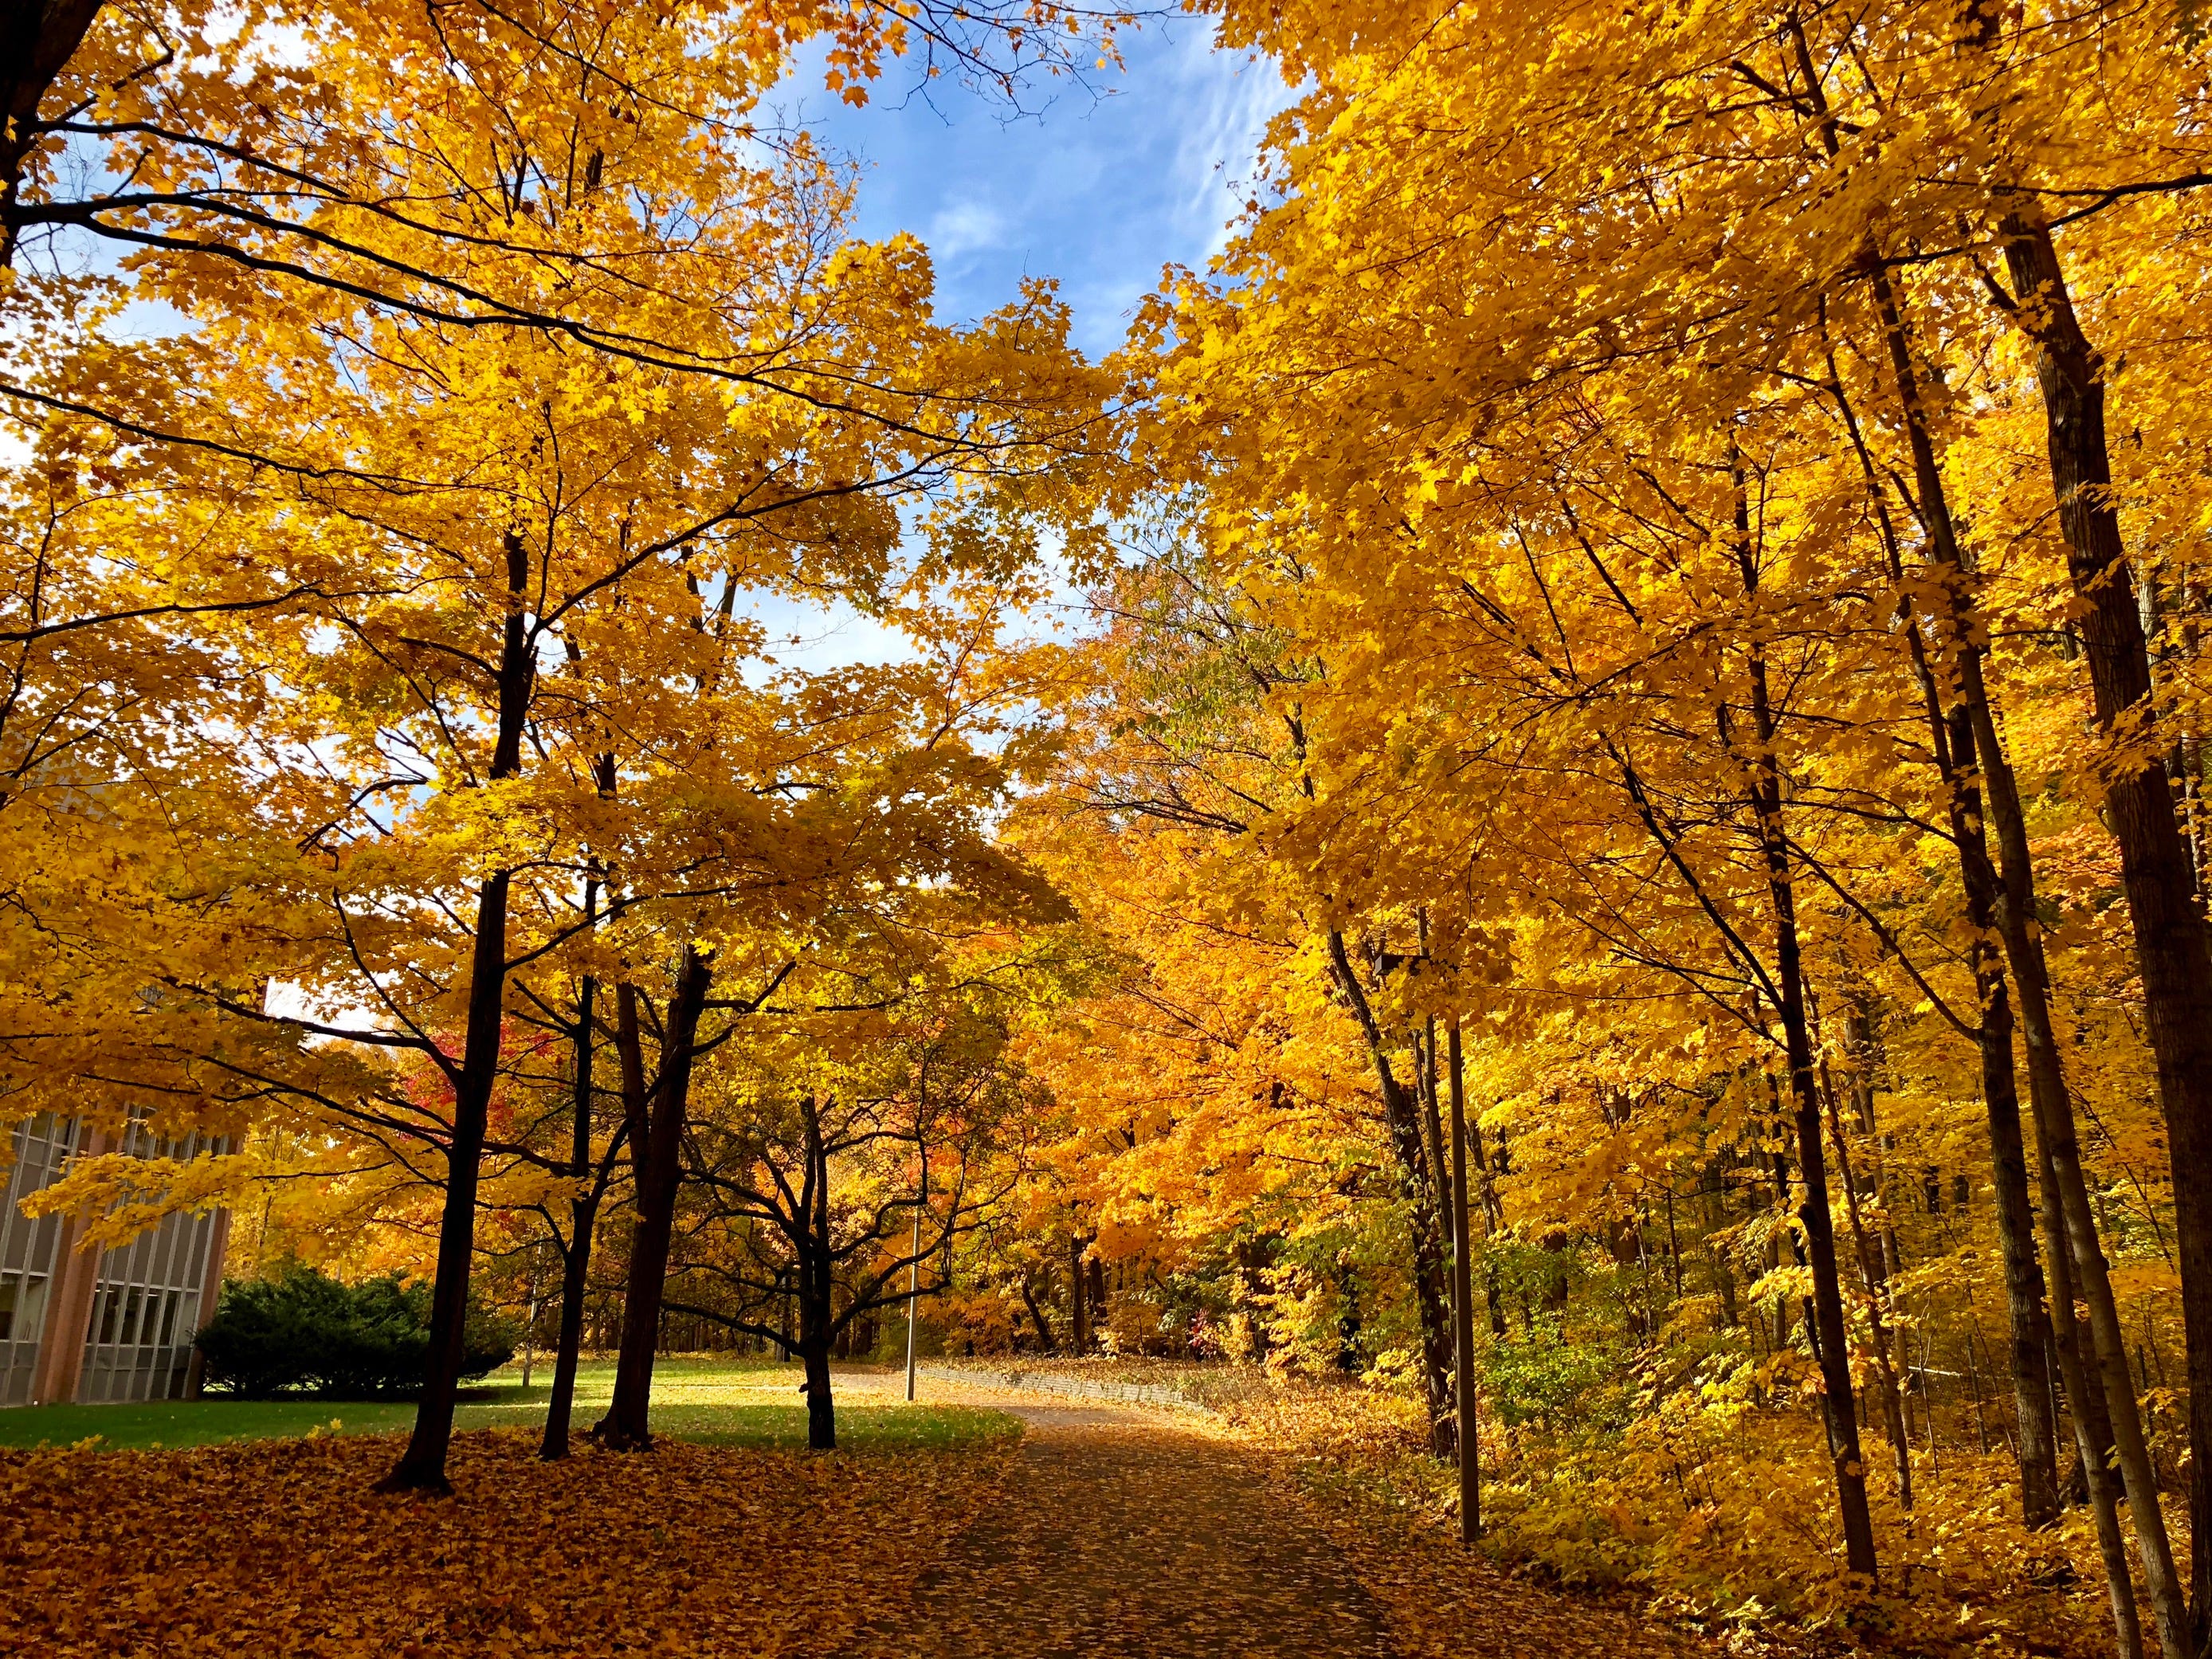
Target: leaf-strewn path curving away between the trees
point(1127, 1534)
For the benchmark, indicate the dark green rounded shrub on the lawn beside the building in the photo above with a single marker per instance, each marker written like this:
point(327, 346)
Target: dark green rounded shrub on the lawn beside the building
point(309, 1333)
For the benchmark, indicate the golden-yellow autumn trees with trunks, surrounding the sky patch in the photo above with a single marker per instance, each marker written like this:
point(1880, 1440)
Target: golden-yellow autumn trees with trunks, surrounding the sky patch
point(1620, 857)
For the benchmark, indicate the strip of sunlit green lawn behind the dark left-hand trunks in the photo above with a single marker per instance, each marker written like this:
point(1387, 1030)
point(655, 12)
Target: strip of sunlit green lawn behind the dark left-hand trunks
point(716, 1401)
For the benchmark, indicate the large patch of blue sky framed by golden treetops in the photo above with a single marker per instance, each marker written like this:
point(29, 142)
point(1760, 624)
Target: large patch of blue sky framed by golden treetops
point(1098, 187)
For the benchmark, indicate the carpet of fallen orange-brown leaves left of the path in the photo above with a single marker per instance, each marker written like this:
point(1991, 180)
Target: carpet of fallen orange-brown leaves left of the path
point(282, 1550)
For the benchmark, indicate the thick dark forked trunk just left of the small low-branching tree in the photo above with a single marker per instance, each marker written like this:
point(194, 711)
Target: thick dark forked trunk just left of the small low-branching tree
point(660, 1169)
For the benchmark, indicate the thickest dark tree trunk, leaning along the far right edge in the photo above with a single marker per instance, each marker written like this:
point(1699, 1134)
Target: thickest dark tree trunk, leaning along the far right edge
point(2140, 811)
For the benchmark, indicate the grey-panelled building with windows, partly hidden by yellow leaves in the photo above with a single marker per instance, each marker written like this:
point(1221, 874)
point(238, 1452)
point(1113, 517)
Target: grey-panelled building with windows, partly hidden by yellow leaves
point(112, 1324)
